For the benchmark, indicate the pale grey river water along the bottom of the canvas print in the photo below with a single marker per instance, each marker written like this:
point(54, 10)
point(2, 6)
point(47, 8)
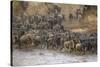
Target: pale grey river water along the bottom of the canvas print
point(44, 56)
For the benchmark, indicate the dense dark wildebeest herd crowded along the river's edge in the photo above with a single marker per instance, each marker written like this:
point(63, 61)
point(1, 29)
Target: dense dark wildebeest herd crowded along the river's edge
point(47, 32)
